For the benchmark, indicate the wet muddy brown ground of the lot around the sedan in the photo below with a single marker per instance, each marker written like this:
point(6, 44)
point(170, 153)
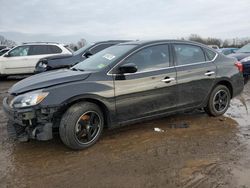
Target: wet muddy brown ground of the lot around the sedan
point(208, 152)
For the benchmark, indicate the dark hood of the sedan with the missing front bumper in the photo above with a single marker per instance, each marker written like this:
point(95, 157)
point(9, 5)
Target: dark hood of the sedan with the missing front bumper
point(48, 79)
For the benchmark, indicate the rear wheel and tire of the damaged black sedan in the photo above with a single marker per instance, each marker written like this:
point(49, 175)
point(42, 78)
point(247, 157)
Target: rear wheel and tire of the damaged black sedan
point(219, 101)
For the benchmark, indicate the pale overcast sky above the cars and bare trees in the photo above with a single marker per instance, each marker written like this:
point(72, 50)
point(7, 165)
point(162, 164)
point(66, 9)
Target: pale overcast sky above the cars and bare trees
point(130, 19)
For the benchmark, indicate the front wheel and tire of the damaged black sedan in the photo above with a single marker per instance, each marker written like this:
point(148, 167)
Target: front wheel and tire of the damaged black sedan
point(76, 126)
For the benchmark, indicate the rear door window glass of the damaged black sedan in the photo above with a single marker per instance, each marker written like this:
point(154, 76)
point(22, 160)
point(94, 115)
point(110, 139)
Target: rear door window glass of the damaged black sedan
point(188, 54)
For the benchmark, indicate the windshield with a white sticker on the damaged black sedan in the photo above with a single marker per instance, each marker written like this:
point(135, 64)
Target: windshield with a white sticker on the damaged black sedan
point(103, 58)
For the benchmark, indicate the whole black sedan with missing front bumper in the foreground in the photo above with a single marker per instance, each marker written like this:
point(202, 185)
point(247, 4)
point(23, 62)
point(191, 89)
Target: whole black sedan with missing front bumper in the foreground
point(119, 85)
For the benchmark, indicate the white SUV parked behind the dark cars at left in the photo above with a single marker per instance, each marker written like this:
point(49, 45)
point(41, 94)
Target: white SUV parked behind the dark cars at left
point(23, 59)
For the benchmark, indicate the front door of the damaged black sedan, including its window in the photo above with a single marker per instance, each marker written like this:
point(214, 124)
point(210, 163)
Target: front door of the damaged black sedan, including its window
point(149, 91)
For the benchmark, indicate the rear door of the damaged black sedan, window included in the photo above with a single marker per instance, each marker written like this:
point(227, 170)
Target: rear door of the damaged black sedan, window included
point(195, 74)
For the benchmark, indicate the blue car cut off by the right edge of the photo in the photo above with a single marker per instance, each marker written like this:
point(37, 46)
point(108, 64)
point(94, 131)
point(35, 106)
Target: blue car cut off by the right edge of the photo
point(243, 55)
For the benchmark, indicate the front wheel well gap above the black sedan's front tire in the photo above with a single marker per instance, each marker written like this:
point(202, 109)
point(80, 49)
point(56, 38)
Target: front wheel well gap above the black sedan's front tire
point(102, 106)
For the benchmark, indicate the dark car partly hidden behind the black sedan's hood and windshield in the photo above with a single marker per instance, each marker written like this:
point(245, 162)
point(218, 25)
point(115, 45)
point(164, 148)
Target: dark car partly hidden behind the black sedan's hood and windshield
point(66, 61)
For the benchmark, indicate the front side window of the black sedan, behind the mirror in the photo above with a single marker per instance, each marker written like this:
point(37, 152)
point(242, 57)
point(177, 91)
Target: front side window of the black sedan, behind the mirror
point(150, 58)
